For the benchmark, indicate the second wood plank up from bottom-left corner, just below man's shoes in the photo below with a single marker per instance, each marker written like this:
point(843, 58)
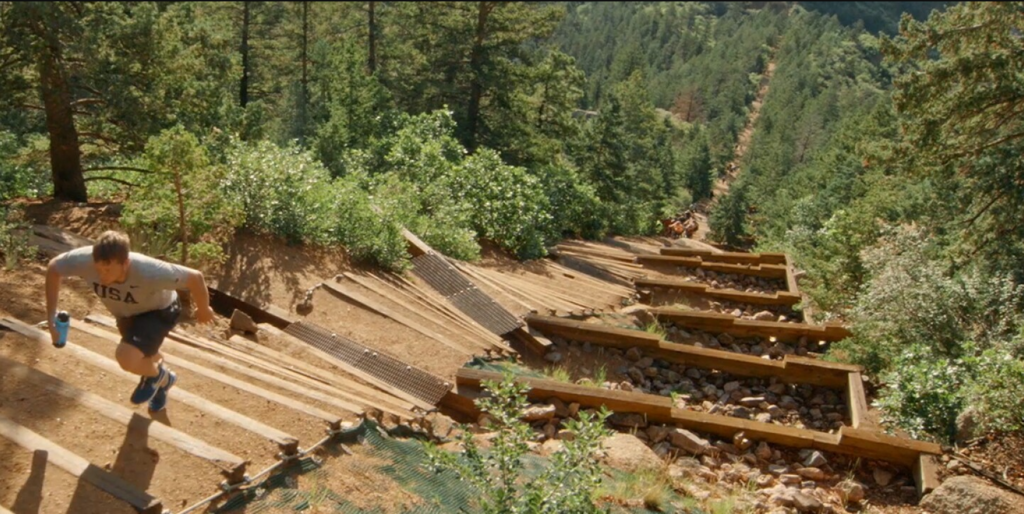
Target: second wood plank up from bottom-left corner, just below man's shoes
point(229, 463)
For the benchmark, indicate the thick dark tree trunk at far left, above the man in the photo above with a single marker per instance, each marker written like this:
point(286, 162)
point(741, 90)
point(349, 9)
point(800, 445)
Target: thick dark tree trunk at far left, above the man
point(66, 156)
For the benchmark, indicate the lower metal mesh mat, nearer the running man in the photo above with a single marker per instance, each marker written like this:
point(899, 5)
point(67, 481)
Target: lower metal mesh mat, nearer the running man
point(412, 380)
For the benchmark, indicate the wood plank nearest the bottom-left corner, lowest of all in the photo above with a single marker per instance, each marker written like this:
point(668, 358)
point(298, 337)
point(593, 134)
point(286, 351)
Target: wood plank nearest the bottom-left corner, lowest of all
point(79, 467)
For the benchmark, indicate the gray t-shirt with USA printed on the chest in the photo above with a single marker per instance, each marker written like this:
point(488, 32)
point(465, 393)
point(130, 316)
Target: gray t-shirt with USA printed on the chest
point(150, 286)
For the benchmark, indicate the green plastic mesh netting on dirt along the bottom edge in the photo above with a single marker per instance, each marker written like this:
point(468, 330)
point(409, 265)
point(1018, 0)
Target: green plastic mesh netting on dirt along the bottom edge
point(405, 462)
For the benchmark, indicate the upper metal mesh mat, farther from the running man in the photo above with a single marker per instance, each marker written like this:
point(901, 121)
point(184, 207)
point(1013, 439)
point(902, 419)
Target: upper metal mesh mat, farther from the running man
point(463, 294)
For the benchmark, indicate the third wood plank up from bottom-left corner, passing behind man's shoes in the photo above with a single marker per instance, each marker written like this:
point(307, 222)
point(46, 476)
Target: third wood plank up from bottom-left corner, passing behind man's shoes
point(281, 439)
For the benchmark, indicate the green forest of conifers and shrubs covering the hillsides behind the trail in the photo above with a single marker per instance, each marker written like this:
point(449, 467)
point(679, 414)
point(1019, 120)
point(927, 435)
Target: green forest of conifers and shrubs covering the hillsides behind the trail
point(885, 160)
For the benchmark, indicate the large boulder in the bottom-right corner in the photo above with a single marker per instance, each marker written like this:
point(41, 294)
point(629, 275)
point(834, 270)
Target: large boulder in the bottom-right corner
point(969, 495)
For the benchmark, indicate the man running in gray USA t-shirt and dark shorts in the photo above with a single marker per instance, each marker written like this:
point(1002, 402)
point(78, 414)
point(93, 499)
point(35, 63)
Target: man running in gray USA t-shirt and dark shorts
point(140, 291)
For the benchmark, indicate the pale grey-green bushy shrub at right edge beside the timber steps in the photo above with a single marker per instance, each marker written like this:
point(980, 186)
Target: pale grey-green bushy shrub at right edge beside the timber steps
point(912, 298)
